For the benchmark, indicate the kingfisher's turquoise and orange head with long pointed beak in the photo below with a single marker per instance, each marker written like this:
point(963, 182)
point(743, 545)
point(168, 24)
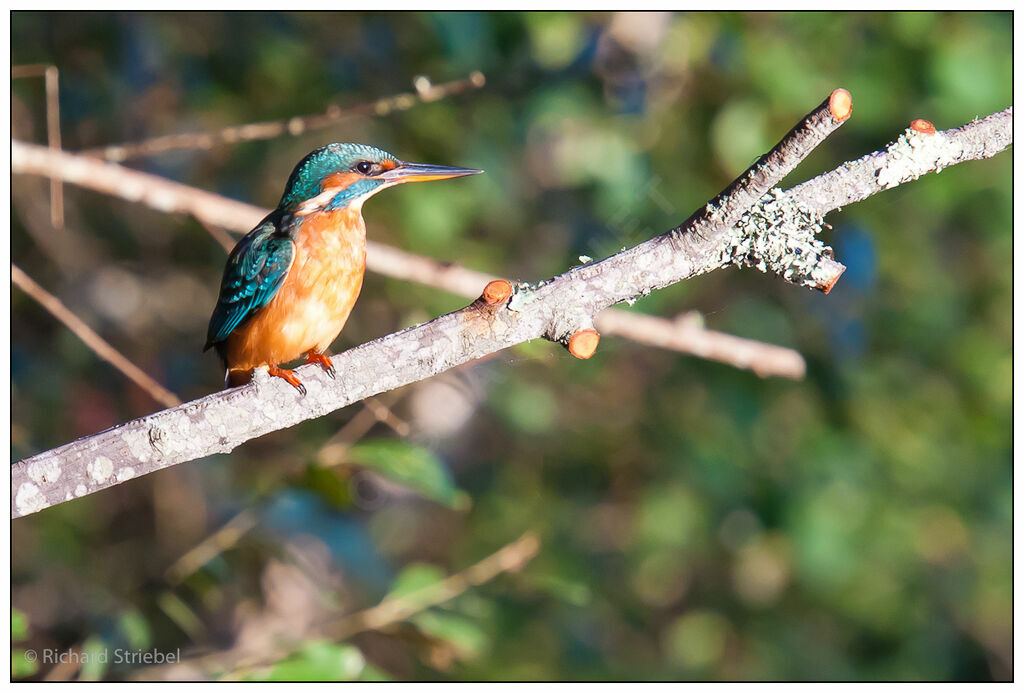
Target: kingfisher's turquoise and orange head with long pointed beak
point(340, 176)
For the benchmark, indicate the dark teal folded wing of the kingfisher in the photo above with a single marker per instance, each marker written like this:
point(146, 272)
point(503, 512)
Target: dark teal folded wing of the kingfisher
point(254, 273)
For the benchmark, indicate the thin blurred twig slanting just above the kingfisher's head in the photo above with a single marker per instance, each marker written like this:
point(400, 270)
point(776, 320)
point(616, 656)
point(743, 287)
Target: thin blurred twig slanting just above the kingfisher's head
point(425, 93)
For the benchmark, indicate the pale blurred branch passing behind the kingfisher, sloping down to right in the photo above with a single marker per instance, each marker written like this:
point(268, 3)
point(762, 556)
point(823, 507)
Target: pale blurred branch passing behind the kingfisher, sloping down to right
point(215, 212)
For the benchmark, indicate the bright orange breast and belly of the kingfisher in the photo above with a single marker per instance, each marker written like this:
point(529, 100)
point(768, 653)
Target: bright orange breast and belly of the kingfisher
point(315, 299)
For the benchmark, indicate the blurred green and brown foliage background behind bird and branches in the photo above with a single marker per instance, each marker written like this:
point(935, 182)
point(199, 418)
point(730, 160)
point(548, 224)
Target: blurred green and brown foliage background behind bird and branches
point(696, 522)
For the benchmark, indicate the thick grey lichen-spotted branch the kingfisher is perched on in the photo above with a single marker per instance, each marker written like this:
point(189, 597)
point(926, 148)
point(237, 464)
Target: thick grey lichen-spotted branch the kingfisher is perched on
point(733, 230)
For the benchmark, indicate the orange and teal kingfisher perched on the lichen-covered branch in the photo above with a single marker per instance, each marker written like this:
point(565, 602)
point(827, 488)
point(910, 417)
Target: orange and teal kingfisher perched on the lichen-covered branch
point(291, 283)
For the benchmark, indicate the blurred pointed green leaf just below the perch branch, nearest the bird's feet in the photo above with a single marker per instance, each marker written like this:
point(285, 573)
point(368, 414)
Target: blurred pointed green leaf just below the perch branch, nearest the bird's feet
point(412, 466)
